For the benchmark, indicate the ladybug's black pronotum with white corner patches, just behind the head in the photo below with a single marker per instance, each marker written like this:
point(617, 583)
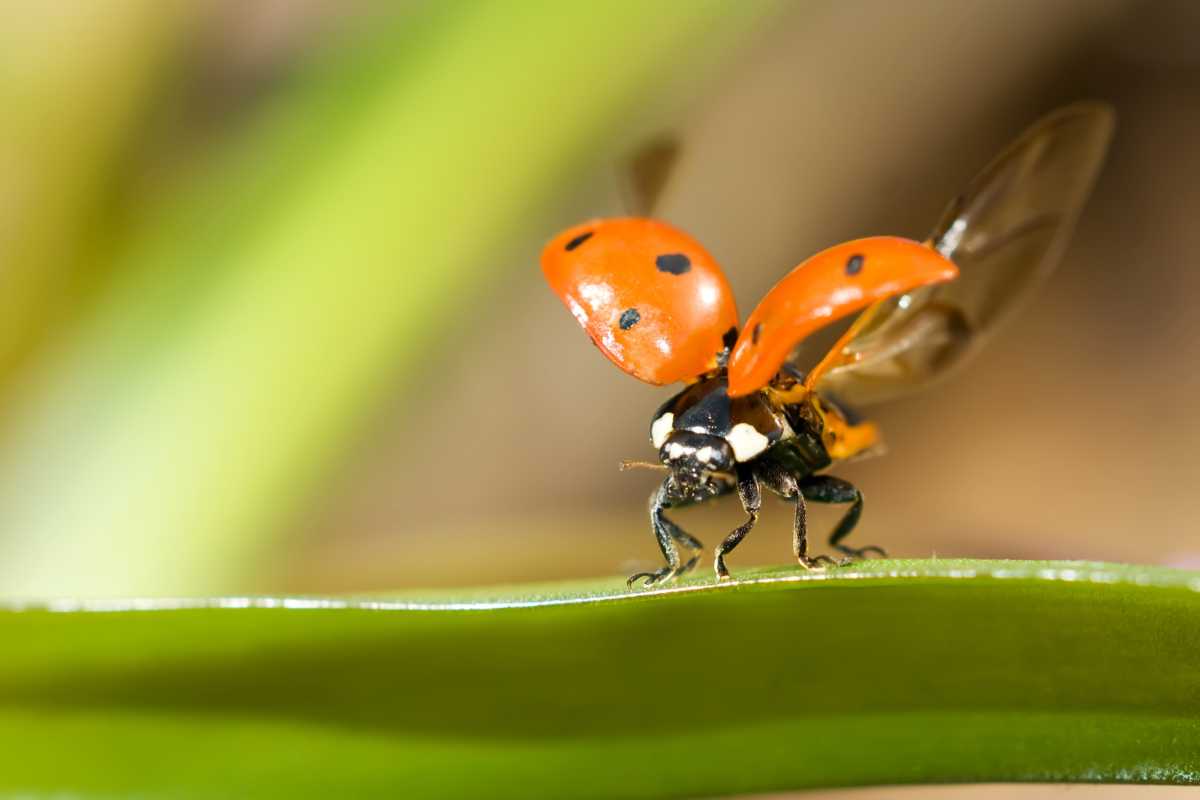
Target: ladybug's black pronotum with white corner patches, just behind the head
point(751, 425)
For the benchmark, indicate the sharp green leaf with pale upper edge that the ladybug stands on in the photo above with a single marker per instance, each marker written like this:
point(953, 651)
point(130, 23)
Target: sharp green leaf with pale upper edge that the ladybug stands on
point(887, 672)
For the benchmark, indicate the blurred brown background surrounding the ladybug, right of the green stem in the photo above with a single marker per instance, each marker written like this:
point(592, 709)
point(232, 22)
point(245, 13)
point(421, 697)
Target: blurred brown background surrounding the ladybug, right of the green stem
point(1072, 437)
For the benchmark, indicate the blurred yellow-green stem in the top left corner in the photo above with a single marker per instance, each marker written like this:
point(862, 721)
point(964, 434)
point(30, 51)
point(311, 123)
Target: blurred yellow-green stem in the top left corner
point(75, 76)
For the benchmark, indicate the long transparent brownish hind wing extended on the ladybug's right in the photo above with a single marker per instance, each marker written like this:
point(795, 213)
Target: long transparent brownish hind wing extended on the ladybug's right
point(1006, 233)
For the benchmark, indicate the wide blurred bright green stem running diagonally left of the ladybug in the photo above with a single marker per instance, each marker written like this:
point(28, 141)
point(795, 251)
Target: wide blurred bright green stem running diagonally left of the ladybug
point(166, 448)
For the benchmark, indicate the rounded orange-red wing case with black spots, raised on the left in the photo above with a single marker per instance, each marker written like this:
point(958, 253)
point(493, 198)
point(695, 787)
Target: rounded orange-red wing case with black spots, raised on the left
point(651, 298)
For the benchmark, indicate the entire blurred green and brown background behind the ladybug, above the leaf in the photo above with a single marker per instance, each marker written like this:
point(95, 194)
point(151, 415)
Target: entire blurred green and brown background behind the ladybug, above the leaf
point(272, 317)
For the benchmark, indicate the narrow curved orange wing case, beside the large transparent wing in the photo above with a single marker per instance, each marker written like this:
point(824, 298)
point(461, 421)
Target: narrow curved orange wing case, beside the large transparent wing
point(832, 285)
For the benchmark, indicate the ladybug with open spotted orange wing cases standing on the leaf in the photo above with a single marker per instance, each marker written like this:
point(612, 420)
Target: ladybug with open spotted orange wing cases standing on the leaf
point(755, 412)
